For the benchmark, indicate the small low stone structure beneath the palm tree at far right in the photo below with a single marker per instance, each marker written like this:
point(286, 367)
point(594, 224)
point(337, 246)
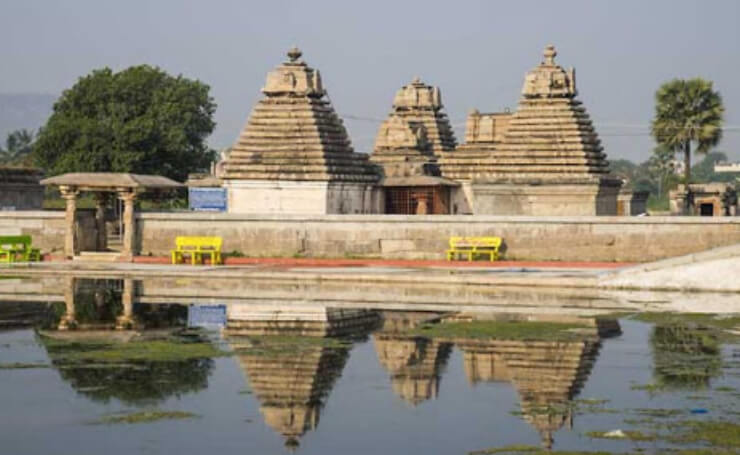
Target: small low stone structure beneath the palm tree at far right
point(709, 199)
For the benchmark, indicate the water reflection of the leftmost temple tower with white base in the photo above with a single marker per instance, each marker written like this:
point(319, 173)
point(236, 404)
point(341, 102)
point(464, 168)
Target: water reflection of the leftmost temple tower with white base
point(292, 358)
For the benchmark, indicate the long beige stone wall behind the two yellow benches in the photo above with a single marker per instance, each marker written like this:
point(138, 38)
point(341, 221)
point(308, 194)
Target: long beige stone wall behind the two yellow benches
point(631, 239)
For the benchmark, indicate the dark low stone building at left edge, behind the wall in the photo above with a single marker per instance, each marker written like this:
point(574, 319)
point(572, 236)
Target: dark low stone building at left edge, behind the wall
point(20, 189)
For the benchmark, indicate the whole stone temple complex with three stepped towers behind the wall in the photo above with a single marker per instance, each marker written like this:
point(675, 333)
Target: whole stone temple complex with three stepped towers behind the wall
point(545, 158)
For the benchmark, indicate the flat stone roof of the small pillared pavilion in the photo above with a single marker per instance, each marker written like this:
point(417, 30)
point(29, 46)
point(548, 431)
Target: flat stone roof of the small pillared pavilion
point(102, 181)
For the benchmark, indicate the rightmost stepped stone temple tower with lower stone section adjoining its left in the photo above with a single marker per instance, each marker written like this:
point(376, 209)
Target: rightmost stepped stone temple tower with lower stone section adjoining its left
point(544, 159)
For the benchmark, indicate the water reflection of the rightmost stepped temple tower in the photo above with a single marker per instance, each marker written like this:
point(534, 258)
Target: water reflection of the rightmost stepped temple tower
point(547, 375)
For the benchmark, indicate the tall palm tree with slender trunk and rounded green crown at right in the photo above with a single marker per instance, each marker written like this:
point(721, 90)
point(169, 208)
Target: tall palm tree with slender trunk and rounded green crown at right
point(686, 112)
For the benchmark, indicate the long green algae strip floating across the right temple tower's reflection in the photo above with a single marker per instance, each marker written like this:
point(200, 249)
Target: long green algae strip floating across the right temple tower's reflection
point(504, 330)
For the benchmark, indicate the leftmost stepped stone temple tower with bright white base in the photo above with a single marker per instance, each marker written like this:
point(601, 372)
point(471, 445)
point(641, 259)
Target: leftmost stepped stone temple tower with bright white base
point(294, 154)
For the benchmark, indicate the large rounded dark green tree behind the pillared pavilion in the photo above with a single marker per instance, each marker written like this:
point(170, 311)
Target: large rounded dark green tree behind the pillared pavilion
point(139, 120)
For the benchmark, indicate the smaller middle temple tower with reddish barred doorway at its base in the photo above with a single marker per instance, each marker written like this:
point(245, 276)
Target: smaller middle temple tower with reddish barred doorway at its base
point(415, 134)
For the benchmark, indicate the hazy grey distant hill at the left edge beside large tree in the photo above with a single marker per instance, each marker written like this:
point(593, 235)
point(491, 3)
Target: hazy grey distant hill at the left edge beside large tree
point(24, 110)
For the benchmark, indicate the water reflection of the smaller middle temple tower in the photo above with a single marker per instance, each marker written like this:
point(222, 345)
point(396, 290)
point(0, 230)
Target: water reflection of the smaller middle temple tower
point(414, 363)
